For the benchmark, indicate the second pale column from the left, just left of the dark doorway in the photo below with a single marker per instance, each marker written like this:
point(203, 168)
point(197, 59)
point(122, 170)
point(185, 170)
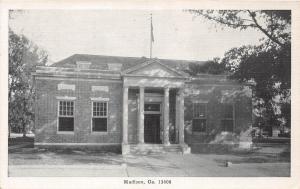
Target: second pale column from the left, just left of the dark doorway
point(141, 116)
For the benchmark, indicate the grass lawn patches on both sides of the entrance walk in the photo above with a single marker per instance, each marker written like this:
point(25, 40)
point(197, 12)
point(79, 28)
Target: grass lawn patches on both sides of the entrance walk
point(21, 152)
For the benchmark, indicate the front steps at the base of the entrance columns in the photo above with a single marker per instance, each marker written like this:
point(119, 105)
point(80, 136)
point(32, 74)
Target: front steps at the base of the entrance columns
point(154, 148)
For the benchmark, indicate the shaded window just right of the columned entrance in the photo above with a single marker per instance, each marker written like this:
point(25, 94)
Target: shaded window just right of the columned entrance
point(199, 117)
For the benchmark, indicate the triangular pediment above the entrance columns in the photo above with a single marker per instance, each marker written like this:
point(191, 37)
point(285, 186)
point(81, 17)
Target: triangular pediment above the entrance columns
point(153, 69)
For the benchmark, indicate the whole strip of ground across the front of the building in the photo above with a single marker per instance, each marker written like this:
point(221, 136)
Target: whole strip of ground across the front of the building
point(35, 162)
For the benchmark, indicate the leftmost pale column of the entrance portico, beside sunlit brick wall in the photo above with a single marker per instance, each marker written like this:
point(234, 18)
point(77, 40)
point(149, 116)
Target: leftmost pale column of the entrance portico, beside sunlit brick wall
point(125, 115)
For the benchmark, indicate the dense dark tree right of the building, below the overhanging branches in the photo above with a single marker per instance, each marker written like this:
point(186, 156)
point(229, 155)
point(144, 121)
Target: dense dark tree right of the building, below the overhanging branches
point(269, 71)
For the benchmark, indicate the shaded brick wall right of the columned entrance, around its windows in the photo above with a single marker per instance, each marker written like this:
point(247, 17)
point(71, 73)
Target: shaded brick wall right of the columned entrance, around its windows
point(214, 95)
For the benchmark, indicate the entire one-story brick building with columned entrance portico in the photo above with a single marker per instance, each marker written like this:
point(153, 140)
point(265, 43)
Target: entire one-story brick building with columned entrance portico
point(138, 104)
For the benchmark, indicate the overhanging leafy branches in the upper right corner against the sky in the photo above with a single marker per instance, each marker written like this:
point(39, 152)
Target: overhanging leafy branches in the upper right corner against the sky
point(275, 24)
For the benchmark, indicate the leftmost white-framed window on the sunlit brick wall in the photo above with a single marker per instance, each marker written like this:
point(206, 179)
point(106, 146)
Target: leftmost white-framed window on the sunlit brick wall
point(66, 116)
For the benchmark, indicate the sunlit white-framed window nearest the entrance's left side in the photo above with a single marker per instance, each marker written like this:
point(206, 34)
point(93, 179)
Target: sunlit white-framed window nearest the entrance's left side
point(99, 117)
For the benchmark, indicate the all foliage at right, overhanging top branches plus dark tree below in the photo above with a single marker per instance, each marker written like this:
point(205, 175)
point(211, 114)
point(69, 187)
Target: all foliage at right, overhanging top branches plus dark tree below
point(266, 66)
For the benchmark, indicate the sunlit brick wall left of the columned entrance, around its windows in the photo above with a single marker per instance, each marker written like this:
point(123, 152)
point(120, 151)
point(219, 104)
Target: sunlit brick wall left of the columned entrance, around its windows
point(47, 107)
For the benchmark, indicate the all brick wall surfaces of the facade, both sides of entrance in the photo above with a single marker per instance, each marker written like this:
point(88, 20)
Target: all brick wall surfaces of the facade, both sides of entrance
point(213, 94)
